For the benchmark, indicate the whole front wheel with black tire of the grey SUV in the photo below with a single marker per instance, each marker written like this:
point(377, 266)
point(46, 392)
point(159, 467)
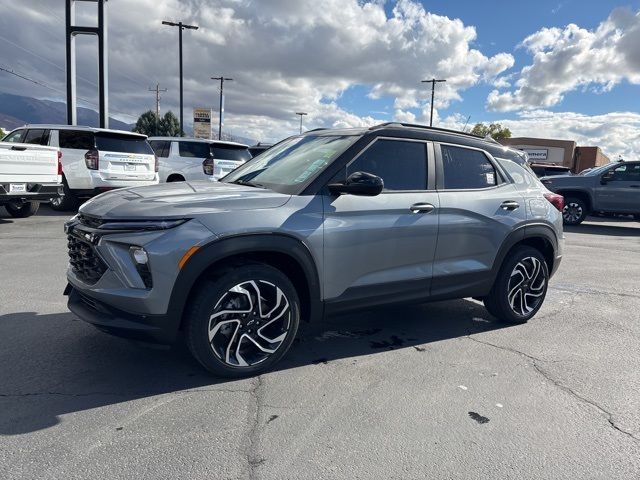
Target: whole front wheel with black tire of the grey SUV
point(233, 340)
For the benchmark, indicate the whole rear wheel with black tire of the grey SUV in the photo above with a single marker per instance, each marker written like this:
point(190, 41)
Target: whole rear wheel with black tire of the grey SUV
point(532, 291)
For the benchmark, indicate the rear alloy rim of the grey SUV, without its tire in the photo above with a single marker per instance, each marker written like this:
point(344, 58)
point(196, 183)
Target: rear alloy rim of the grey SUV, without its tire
point(526, 286)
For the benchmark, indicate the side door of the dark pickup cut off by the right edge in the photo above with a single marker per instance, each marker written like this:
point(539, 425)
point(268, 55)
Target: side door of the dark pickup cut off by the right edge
point(622, 192)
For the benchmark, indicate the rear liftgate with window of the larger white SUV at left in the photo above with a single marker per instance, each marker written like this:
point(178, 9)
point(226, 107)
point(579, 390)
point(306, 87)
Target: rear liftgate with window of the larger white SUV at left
point(125, 157)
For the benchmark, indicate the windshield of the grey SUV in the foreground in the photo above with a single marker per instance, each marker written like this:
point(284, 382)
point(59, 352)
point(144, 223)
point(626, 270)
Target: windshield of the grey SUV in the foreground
point(293, 163)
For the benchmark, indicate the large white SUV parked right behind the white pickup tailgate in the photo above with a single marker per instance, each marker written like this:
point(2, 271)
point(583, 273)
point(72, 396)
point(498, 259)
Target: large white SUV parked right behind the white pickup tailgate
point(93, 160)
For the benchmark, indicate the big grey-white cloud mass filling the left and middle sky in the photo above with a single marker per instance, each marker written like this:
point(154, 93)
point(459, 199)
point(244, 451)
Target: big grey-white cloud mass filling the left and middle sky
point(284, 55)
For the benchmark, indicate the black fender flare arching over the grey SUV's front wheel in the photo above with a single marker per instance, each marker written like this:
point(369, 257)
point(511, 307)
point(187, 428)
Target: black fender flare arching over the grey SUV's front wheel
point(226, 247)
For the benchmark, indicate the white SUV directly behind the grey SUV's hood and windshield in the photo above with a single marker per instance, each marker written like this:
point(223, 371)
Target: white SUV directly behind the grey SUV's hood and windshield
point(197, 159)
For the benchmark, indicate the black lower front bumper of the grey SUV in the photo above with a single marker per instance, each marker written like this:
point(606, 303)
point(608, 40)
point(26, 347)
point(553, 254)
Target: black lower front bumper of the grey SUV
point(148, 328)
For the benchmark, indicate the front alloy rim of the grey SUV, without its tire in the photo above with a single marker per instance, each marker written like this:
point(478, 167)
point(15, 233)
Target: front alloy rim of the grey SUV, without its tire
point(250, 322)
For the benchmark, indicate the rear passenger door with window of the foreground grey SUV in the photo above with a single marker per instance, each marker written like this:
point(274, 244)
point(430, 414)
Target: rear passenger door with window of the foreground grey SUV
point(479, 207)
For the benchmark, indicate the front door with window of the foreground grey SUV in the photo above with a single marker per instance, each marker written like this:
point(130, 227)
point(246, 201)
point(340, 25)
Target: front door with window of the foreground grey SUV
point(383, 246)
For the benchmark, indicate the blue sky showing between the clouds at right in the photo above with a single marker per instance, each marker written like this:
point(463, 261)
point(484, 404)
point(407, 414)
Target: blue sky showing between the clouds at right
point(501, 26)
